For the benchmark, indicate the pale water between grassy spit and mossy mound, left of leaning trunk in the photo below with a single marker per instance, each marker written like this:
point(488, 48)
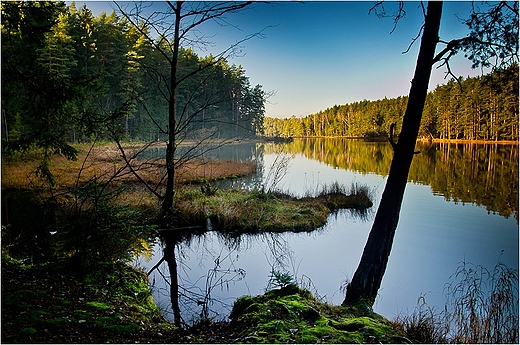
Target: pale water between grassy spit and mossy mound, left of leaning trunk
point(214, 269)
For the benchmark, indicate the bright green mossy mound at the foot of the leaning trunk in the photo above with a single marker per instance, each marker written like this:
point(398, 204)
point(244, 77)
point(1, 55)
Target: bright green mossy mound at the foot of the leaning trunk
point(293, 315)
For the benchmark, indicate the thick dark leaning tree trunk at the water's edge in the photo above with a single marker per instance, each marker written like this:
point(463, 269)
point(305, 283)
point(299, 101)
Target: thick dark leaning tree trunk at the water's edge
point(369, 274)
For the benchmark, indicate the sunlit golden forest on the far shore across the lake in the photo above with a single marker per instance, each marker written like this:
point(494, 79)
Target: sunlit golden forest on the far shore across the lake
point(476, 108)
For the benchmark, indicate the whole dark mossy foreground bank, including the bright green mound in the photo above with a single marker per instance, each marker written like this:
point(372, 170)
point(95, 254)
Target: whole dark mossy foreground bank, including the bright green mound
point(53, 303)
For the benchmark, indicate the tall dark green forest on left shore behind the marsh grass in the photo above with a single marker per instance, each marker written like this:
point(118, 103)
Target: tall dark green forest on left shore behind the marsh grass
point(67, 75)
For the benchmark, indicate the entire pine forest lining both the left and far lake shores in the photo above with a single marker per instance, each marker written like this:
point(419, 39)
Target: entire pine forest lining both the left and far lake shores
point(69, 76)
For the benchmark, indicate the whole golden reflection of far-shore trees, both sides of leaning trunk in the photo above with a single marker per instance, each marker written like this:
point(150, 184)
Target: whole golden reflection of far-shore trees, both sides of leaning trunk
point(484, 174)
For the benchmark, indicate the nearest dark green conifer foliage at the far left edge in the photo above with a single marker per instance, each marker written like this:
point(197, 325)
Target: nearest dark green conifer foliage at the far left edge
point(41, 91)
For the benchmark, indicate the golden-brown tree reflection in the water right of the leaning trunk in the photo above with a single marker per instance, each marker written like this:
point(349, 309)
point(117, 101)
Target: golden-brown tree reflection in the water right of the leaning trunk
point(484, 174)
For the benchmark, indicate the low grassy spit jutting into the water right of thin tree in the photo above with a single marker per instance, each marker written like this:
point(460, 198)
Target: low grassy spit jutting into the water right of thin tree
point(239, 211)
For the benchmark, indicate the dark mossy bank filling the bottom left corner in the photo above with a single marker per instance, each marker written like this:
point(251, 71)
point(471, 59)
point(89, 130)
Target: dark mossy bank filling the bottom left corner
point(50, 303)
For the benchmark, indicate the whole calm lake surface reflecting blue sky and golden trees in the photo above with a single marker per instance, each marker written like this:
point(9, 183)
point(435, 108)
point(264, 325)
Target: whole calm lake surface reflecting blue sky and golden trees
point(461, 204)
